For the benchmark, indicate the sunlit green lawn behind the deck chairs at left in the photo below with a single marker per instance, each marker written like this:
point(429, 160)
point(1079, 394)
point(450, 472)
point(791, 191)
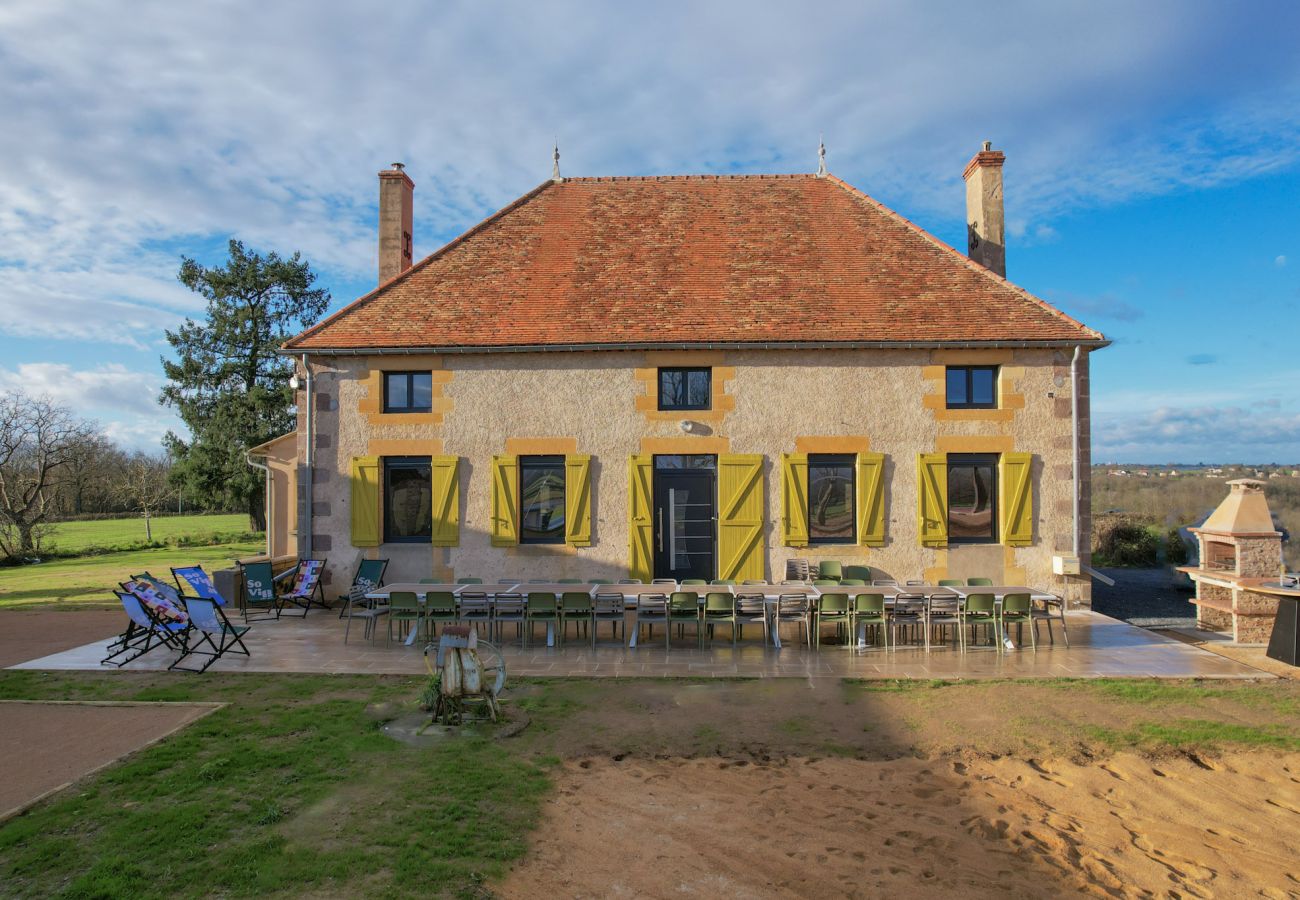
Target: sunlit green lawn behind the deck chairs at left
point(89, 581)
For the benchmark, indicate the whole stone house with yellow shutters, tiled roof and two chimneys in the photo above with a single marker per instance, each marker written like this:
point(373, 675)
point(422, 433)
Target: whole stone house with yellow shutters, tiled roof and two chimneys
point(695, 377)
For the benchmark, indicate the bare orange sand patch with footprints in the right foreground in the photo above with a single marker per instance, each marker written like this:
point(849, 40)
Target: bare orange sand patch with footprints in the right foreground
point(917, 828)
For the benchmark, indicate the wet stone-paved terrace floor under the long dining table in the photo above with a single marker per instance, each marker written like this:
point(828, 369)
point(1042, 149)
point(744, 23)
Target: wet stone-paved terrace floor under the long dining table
point(1100, 648)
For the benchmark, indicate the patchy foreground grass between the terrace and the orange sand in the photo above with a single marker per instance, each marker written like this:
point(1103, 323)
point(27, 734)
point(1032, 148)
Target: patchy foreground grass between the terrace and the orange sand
point(293, 790)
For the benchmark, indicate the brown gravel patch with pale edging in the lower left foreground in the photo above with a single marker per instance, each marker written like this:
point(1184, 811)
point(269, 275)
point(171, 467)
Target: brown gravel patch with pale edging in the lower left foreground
point(49, 746)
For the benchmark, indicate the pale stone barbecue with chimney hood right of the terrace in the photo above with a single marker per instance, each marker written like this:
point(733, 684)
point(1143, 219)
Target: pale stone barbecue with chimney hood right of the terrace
point(1241, 552)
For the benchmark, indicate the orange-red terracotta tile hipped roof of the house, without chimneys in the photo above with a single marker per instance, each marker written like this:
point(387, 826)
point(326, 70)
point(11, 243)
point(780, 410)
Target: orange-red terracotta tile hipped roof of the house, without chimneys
point(692, 259)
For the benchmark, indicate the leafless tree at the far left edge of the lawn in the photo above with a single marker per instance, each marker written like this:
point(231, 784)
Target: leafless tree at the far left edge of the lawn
point(37, 440)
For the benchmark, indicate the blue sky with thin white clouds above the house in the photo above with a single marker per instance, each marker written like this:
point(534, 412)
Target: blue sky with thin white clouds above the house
point(1152, 176)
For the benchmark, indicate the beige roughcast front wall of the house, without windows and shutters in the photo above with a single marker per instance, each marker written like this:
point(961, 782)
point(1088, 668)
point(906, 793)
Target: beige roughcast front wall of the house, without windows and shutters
point(766, 403)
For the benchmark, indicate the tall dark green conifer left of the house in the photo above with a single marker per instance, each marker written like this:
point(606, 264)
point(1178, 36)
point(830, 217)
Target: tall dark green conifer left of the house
point(228, 382)
